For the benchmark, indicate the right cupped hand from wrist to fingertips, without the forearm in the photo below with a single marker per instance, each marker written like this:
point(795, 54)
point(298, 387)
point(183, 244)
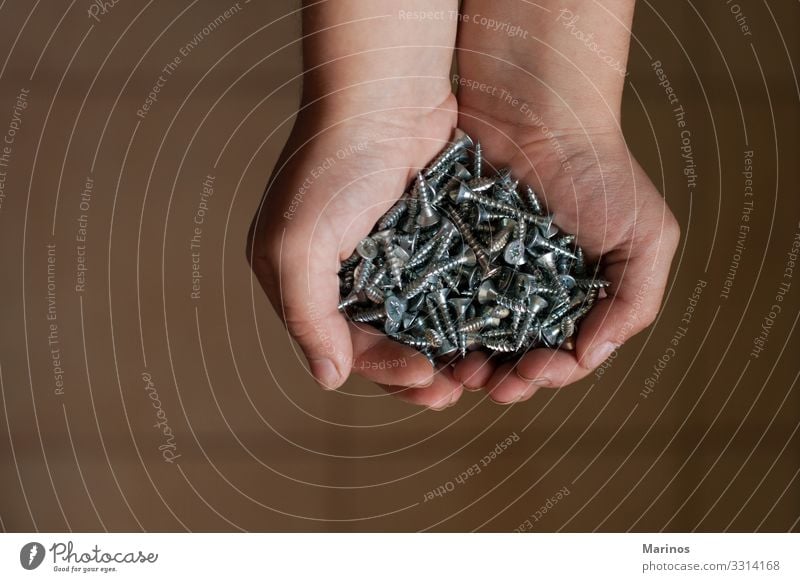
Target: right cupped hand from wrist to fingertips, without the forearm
point(596, 190)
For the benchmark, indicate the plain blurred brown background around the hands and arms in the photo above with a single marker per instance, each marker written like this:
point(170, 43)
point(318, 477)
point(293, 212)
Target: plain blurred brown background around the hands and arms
point(714, 447)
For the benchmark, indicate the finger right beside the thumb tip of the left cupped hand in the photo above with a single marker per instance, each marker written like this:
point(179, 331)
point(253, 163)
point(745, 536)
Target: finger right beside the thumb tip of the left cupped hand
point(384, 361)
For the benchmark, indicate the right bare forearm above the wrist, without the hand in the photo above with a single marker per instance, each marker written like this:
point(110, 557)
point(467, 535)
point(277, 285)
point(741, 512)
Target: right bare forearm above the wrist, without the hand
point(564, 58)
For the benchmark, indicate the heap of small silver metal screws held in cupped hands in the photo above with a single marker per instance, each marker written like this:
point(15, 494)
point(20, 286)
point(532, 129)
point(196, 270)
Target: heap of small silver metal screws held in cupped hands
point(465, 261)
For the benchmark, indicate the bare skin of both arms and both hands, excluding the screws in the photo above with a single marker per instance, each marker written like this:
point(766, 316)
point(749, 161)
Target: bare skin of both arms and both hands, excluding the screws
point(384, 81)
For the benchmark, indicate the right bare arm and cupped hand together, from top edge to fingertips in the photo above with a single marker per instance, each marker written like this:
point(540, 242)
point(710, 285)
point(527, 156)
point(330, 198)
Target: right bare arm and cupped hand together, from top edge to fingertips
point(551, 113)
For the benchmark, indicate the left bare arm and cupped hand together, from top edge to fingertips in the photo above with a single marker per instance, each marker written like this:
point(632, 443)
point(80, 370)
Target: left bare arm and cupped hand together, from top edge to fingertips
point(376, 107)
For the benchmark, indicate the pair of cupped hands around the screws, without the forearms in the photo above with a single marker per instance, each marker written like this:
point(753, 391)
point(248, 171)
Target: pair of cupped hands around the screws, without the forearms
point(352, 154)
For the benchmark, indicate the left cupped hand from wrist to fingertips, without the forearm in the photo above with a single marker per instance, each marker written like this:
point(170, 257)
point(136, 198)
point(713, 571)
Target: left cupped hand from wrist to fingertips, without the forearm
point(339, 172)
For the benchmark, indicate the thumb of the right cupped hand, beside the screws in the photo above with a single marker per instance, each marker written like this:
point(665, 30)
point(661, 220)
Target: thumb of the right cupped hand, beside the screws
point(638, 276)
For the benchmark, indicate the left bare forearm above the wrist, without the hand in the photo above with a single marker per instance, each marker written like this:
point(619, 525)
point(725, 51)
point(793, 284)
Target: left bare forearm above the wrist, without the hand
point(358, 51)
